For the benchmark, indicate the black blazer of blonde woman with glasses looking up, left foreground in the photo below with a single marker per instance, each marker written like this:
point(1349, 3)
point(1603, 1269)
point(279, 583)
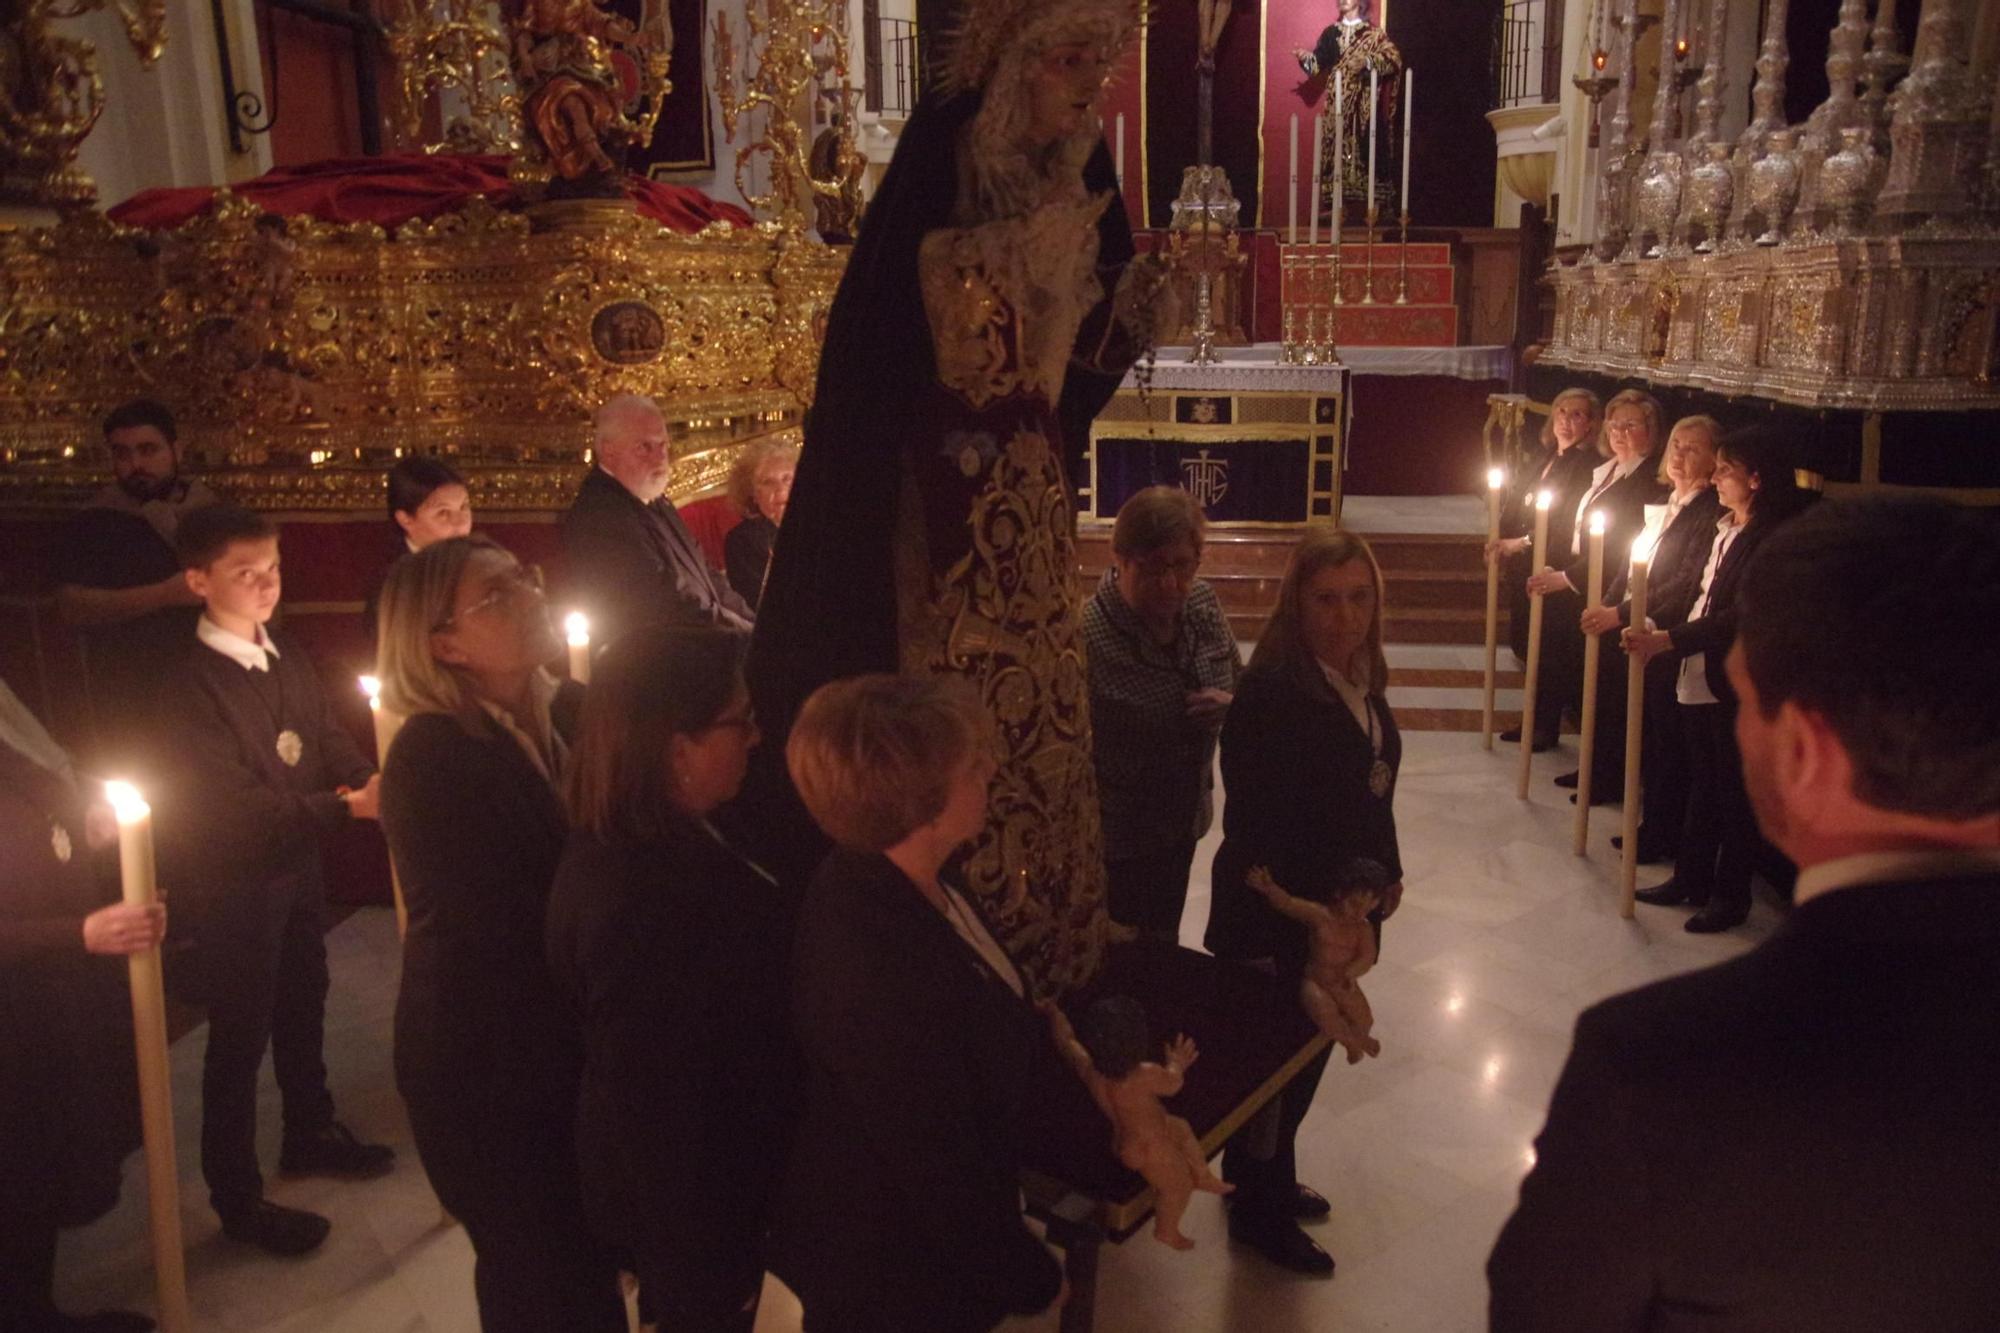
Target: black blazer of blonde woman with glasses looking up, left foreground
point(477, 834)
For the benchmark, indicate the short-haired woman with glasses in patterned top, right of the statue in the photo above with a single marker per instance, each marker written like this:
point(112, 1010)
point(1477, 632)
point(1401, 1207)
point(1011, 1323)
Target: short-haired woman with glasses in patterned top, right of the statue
point(1163, 672)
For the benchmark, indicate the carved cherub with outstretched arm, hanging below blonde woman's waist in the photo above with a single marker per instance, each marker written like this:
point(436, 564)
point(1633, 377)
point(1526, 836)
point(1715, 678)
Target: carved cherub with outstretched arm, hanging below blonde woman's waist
point(1129, 1090)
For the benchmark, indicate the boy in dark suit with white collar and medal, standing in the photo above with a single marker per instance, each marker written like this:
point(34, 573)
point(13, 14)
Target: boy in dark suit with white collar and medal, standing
point(261, 772)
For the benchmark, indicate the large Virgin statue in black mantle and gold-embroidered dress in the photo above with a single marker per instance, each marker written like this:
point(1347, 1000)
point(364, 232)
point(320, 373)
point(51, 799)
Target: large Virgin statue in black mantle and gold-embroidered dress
point(989, 311)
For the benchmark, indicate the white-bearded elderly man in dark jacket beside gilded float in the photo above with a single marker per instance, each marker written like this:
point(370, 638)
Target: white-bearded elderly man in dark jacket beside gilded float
point(633, 561)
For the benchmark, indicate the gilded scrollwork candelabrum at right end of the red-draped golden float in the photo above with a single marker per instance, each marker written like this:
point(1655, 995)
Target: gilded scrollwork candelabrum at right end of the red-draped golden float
point(799, 45)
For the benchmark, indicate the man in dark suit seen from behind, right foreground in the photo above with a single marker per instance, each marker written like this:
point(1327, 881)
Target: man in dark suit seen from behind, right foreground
point(1805, 1138)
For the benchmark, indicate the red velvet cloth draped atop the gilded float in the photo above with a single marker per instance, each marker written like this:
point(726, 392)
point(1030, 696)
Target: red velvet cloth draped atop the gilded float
point(397, 189)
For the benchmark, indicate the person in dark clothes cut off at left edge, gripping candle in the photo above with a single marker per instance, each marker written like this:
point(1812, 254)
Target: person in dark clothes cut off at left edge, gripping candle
point(69, 1106)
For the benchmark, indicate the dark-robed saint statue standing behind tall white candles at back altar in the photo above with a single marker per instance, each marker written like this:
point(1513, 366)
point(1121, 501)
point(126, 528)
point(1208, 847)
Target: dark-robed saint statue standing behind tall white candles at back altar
point(1353, 45)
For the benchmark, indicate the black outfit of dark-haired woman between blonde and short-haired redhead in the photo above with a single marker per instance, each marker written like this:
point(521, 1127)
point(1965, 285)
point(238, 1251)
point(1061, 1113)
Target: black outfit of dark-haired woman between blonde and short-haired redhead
point(675, 958)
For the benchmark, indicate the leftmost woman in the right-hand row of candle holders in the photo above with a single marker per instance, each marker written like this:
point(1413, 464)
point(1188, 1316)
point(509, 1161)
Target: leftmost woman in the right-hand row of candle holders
point(1571, 451)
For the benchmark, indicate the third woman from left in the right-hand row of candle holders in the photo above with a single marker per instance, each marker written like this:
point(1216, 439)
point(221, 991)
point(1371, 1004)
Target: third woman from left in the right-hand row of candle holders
point(1685, 529)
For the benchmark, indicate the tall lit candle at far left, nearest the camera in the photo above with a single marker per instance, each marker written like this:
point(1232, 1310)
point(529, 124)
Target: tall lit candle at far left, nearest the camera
point(155, 1082)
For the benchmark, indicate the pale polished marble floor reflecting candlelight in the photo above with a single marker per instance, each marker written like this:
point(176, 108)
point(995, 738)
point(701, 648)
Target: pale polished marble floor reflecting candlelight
point(1501, 942)
